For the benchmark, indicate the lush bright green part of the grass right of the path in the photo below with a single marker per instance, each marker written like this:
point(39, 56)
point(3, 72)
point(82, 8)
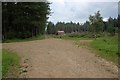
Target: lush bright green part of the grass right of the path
point(107, 47)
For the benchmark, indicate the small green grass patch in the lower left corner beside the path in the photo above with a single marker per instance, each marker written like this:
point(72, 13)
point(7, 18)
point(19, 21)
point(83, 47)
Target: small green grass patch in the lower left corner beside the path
point(9, 60)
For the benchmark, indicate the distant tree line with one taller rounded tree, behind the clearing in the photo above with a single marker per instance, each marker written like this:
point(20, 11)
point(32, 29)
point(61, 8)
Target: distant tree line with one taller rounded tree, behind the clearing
point(94, 25)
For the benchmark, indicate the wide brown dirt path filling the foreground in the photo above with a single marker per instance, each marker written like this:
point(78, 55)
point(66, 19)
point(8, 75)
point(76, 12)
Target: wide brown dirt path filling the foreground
point(55, 58)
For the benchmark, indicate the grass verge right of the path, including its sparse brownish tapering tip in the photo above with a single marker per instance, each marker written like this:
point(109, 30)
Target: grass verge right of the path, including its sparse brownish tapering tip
point(106, 47)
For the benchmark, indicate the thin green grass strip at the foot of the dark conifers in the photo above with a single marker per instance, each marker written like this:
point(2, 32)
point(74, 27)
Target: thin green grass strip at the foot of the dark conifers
point(24, 40)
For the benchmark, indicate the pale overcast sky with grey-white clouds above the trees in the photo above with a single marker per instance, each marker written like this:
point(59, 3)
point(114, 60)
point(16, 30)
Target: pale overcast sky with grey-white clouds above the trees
point(79, 10)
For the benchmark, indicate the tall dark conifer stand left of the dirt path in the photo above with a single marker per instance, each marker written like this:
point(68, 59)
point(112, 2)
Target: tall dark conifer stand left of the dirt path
point(24, 19)
